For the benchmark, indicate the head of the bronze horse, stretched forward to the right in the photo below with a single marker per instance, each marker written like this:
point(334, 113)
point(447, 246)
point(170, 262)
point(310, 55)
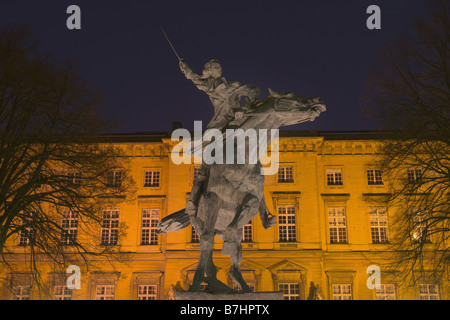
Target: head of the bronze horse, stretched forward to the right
point(294, 109)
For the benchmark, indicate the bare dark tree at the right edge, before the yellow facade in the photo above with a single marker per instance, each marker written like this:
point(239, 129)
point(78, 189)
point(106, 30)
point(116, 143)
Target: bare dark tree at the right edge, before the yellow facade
point(408, 93)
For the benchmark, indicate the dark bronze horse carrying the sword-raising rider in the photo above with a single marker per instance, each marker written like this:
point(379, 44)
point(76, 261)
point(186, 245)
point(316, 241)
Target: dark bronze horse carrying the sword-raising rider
point(233, 193)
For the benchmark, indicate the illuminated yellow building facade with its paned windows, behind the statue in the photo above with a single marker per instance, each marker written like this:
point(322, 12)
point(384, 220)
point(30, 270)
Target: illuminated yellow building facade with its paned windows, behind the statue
point(328, 229)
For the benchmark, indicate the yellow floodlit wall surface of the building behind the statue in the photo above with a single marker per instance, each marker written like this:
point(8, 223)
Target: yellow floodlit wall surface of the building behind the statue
point(268, 263)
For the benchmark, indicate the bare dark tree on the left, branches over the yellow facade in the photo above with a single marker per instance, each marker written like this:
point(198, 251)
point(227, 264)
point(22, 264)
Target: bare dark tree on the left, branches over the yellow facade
point(57, 171)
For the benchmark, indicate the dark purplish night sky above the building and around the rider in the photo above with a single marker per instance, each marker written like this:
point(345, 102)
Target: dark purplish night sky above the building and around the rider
point(314, 48)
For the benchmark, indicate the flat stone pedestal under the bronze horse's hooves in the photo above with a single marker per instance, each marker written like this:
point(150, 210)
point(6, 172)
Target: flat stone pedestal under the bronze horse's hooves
point(185, 295)
